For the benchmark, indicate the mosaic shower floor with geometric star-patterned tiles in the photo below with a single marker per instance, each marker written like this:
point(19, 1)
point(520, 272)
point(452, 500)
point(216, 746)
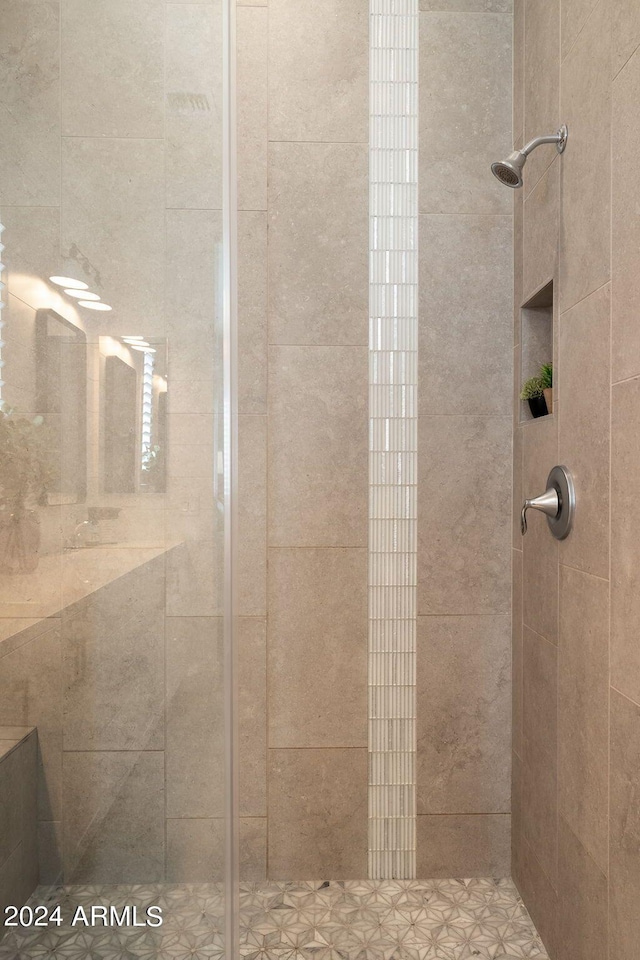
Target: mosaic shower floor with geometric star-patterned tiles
point(313, 920)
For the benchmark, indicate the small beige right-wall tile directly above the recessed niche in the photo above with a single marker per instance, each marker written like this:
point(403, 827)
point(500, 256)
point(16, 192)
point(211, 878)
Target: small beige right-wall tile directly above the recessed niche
point(541, 225)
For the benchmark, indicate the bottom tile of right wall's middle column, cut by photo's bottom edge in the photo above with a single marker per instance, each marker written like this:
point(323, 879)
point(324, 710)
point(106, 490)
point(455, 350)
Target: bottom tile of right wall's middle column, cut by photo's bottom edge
point(583, 902)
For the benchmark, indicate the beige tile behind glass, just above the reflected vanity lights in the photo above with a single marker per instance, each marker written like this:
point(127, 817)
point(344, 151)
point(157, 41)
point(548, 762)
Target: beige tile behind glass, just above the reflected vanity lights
point(113, 204)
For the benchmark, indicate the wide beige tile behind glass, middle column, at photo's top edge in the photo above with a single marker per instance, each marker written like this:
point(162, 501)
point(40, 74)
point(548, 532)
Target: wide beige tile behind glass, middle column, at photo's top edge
point(112, 68)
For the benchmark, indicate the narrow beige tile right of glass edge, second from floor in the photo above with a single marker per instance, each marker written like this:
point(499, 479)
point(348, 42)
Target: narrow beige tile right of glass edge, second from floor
point(252, 716)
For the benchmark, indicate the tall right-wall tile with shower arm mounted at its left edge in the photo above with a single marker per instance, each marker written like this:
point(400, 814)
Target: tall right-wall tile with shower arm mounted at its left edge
point(585, 233)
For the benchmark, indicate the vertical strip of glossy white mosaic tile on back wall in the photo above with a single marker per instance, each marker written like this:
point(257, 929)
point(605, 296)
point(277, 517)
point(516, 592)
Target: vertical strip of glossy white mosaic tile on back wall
point(393, 411)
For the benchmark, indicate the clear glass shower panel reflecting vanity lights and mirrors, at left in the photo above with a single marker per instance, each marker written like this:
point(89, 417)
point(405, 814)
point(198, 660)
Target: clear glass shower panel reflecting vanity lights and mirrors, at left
point(114, 475)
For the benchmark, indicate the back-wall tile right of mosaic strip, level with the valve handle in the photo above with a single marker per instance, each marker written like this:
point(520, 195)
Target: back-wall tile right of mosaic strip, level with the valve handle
point(464, 525)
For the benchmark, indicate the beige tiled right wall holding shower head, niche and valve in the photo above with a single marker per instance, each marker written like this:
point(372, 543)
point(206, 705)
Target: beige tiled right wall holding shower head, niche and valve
point(576, 607)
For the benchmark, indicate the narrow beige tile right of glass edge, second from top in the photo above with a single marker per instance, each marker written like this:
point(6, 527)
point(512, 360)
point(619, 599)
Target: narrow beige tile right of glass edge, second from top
point(252, 312)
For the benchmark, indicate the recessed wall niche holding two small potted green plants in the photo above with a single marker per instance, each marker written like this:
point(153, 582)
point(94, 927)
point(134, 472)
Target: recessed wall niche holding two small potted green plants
point(536, 344)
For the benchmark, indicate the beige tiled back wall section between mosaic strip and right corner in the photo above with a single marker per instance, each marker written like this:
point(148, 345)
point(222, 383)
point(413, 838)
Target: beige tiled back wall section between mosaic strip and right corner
point(464, 440)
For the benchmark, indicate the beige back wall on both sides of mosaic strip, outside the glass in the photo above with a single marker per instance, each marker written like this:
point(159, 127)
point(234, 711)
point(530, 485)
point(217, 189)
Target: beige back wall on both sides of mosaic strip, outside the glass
point(303, 71)
